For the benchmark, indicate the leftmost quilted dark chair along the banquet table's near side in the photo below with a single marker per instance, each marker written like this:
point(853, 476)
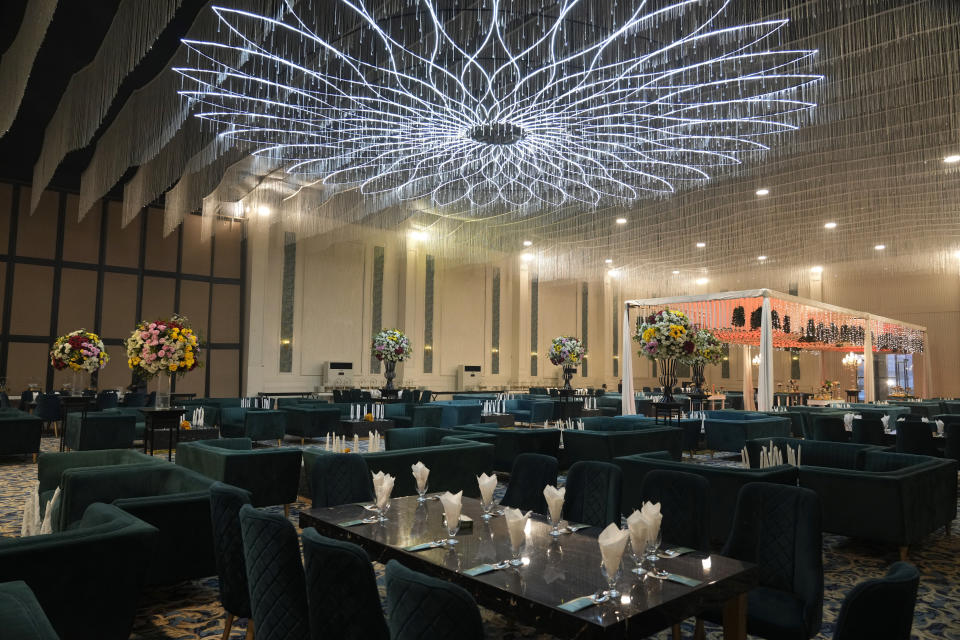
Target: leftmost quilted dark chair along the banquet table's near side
point(225, 503)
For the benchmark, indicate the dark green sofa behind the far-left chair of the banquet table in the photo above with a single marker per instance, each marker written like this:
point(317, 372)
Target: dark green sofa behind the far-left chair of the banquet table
point(454, 464)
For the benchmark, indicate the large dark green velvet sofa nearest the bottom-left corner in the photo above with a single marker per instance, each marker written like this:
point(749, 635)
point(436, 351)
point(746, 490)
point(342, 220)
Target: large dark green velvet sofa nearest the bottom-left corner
point(88, 578)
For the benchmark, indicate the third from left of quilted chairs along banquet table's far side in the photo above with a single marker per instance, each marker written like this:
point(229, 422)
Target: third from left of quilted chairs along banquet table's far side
point(593, 493)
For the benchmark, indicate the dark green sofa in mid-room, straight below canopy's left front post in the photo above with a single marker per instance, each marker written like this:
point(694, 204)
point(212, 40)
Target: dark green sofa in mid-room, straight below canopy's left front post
point(605, 446)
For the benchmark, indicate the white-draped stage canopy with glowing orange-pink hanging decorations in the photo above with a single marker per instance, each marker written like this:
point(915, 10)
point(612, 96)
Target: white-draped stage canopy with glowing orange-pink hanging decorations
point(770, 319)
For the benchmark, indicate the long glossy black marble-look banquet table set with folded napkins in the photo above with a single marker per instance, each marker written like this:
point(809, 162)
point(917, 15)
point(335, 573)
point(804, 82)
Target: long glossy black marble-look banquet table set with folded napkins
point(554, 571)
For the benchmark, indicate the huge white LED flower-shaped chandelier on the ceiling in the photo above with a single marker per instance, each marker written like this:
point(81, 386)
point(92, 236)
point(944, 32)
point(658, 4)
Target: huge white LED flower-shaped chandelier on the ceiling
point(501, 105)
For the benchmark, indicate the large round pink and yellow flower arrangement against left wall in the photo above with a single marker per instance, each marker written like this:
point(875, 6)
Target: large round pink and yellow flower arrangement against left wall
point(163, 346)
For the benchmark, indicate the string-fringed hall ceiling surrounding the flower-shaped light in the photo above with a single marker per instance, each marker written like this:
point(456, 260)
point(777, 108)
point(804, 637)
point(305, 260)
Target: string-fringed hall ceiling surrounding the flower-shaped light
point(869, 158)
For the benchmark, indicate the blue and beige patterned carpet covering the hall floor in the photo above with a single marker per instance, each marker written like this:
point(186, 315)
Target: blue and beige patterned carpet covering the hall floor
point(191, 610)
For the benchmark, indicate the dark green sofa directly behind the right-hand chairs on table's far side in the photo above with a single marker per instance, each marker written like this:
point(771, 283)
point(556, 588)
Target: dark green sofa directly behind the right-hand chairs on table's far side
point(725, 484)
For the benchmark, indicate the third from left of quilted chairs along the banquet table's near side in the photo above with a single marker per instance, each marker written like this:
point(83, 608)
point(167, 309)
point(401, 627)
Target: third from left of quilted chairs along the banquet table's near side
point(341, 590)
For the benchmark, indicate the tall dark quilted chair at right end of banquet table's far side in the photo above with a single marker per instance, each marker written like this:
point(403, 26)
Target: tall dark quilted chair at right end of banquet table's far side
point(777, 527)
